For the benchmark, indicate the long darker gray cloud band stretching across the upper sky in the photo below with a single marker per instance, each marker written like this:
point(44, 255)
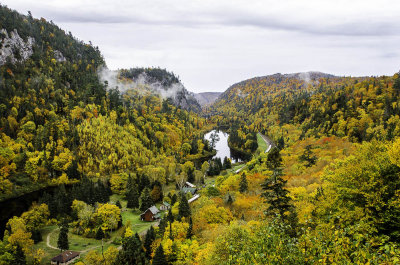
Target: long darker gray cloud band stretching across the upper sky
point(232, 18)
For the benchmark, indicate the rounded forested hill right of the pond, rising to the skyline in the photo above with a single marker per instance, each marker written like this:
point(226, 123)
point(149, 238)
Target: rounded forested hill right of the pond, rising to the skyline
point(358, 108)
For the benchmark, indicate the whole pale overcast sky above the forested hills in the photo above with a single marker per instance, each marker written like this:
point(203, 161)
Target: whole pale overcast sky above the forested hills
point(212, 44)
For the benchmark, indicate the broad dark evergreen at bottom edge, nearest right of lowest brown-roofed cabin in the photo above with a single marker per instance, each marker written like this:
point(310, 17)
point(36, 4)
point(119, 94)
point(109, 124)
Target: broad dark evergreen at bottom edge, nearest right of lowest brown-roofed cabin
point(132, 252)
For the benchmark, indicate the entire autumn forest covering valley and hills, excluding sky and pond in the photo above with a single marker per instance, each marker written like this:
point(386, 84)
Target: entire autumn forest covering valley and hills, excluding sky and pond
point(319, 185)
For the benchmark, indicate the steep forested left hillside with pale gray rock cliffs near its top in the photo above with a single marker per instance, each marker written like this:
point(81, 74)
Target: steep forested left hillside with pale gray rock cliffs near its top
point(60, 121)
